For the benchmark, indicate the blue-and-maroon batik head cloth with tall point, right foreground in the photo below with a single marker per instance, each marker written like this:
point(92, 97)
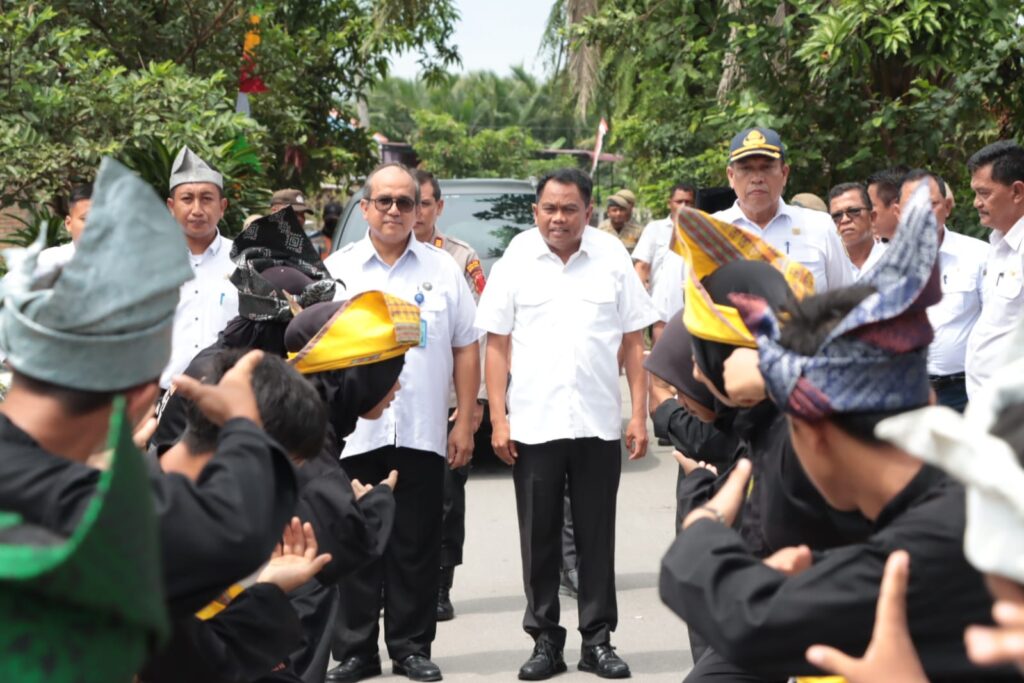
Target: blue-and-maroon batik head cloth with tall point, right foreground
point(875, 359)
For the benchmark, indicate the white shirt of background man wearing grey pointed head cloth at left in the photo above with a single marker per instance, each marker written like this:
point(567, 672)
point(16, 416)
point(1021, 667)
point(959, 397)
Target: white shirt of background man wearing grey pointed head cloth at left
point(207, 304)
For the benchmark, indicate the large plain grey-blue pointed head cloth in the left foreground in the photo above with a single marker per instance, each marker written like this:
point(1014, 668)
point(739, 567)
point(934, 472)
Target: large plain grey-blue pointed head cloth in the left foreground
point(106, 323)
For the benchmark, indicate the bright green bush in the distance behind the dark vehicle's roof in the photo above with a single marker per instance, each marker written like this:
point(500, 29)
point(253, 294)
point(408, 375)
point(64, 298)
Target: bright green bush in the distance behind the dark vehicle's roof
point(447, 149)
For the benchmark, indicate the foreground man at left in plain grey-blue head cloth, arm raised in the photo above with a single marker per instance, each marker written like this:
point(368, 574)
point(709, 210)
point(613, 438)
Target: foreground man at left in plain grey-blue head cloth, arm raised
point(105, 328)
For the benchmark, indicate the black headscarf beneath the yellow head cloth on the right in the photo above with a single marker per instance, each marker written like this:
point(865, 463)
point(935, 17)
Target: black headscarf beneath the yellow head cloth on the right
point(743, 277)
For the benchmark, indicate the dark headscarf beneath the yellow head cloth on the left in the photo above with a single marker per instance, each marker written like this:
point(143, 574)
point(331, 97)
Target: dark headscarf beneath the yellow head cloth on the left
point(349, 393)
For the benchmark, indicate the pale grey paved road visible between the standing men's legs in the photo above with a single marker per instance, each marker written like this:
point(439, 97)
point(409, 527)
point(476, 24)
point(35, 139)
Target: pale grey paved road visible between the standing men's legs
point(487, 643)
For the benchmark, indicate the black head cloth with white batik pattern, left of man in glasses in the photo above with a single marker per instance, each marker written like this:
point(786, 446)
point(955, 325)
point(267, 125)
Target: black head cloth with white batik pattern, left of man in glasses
point(277, 240)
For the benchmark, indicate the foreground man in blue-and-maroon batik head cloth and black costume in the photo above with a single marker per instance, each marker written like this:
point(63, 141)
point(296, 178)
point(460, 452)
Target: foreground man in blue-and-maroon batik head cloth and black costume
point(836, 381)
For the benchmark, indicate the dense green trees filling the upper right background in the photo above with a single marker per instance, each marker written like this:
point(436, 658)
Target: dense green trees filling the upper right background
point(852, 86)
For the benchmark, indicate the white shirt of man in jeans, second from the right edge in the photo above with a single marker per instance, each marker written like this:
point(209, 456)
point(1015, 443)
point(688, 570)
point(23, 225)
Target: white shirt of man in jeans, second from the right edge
point(962, 267)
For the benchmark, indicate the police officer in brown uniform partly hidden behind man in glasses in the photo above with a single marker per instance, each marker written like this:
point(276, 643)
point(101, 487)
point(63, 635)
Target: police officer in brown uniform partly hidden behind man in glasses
point(454, 521)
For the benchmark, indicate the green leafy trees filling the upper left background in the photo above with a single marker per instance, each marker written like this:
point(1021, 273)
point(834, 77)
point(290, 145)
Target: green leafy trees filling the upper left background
point(81, 79)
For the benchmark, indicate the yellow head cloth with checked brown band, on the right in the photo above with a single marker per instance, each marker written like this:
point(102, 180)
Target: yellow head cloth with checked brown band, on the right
point(706, 244)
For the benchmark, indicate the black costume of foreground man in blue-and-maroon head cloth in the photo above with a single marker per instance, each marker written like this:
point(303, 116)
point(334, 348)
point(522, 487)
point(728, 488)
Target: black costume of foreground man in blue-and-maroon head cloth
point(760, 622)
